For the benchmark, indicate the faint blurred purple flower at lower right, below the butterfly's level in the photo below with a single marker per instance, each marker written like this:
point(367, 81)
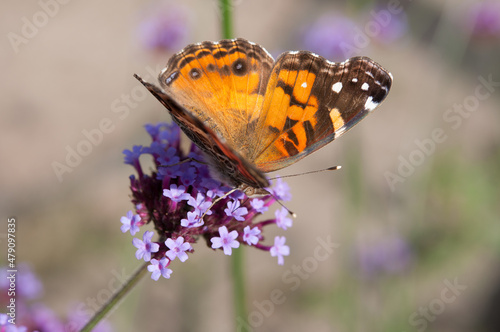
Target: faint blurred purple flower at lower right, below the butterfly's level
point(389, 255)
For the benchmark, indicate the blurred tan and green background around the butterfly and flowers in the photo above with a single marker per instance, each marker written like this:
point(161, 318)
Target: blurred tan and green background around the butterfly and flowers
point(397, 241)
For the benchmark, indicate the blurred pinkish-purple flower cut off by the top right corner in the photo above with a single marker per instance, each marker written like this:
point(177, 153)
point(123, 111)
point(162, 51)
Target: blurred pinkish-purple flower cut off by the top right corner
point(484, 19)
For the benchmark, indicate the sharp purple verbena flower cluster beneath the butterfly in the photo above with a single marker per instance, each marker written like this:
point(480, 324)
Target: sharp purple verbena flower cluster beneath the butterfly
point(177, 198)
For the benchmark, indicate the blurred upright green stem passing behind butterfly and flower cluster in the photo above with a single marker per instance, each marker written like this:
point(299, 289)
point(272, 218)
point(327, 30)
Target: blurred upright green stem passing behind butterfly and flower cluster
point(237, 262)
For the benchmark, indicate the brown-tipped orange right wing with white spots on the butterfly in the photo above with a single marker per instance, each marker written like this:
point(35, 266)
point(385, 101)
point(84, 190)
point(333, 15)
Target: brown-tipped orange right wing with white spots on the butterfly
point(310, 101)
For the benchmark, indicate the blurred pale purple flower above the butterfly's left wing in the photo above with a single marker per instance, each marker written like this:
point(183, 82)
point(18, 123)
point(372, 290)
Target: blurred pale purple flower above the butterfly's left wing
point(165, 28)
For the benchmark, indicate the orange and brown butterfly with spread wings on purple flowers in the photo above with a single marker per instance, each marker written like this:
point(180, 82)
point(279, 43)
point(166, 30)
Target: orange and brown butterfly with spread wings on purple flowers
point(251, 115)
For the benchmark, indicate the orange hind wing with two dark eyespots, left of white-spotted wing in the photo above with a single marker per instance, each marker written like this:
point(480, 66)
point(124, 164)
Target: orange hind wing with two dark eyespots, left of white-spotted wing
point(222, 84)
